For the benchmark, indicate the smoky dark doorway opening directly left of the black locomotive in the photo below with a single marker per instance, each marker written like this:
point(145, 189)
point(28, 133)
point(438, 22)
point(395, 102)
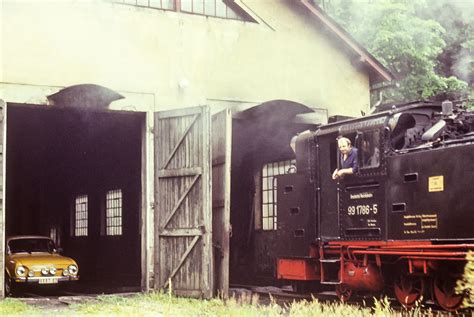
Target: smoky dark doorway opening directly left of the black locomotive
point(261, 151)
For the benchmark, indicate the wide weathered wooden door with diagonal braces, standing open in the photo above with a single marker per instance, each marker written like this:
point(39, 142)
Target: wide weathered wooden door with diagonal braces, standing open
point(183, 214)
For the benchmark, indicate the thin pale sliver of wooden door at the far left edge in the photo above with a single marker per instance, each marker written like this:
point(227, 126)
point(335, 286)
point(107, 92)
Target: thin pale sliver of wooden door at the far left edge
point(3, 116)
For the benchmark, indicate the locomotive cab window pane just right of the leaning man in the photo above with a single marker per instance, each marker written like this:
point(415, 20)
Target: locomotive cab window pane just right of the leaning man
point(369, 149)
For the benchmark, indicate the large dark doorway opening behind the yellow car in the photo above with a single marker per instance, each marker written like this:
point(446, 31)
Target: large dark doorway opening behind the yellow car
point(75, 175)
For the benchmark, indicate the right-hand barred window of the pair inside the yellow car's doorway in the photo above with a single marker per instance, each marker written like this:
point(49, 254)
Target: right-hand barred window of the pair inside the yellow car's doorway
point(113, 213)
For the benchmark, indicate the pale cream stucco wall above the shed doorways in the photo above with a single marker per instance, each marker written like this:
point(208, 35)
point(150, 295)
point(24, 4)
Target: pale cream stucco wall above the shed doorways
point(181, 59)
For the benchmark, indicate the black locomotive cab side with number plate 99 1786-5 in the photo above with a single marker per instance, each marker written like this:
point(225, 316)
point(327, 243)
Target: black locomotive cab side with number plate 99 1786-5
point(351, 208)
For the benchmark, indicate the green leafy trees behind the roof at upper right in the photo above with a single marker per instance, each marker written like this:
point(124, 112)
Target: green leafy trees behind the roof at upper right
point(427, 55)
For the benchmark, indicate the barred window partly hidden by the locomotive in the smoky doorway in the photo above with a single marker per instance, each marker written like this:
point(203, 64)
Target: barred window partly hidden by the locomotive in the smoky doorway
point(269, 190)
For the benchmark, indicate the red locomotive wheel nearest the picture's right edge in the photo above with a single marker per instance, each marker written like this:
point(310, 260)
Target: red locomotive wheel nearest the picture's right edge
point(443, 290)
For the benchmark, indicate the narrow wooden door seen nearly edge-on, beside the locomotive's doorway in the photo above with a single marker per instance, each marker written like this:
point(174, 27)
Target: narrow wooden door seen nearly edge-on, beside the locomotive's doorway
point(221, 159)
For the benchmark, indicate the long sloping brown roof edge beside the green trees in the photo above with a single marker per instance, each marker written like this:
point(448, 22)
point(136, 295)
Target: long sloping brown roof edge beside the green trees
point(377, 72)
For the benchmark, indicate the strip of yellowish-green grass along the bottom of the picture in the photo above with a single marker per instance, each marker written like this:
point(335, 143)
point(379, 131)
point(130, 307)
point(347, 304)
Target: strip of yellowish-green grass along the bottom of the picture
point(163, 304)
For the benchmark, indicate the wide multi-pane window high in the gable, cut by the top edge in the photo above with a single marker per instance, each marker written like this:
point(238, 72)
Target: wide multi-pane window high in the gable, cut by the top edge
point(215, 8)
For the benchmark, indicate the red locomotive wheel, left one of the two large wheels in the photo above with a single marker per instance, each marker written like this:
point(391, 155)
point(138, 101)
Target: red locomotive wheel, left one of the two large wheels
point(408, 290)
